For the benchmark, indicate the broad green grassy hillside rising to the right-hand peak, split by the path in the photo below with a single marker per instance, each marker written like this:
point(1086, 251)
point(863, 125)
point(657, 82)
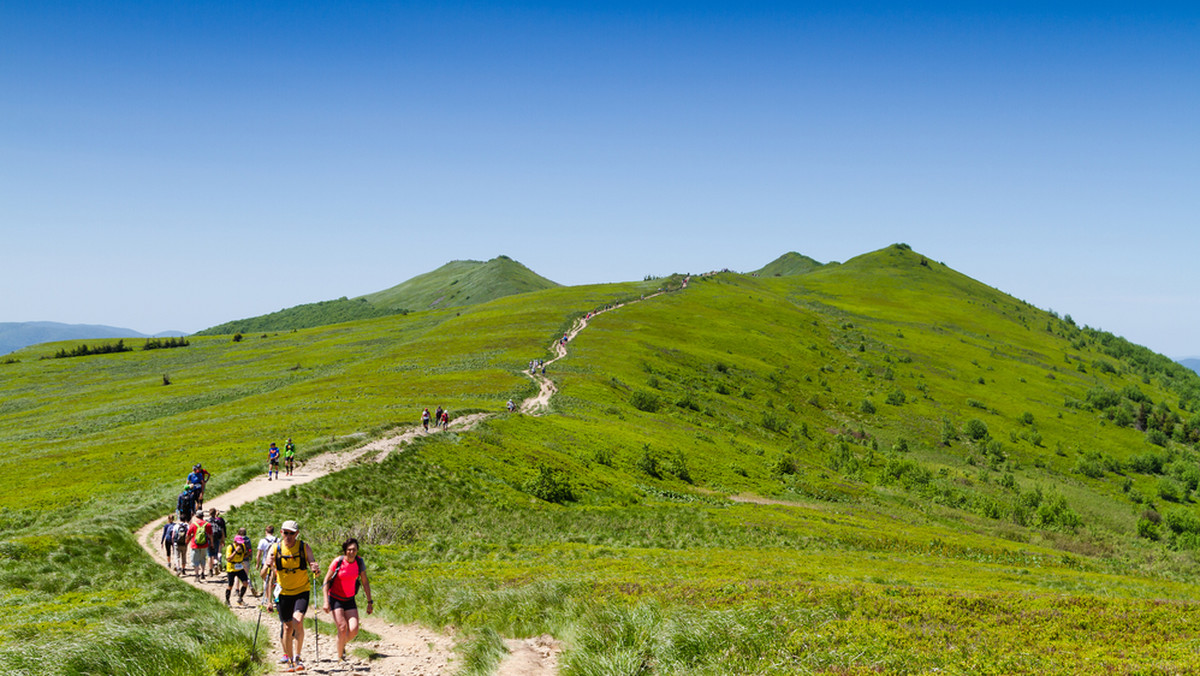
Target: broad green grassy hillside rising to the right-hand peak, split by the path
point(878, 466)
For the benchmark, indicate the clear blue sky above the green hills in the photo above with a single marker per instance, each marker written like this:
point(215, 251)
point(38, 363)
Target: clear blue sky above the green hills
point(178, 165)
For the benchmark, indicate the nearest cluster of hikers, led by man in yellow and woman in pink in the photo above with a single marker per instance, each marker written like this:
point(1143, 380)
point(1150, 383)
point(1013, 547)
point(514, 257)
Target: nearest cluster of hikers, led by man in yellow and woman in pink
point(287, 567)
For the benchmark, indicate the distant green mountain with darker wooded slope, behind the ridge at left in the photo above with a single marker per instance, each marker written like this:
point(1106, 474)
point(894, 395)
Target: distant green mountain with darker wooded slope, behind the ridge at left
point(454, 285)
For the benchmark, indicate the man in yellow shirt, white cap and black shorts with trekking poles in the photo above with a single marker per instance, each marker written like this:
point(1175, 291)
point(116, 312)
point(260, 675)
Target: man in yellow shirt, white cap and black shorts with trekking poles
point(292, 560)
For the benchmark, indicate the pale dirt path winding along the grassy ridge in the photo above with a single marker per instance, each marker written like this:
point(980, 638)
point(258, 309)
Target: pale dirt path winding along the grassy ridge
point(403, 649)
